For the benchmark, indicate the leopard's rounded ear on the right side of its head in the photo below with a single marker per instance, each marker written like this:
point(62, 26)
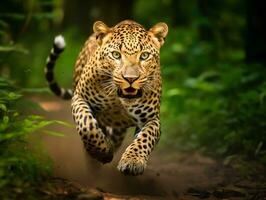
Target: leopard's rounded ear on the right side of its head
point(159, 32)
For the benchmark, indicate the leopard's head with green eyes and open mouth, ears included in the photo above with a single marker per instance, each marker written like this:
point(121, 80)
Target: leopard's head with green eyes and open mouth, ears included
point(130, 56)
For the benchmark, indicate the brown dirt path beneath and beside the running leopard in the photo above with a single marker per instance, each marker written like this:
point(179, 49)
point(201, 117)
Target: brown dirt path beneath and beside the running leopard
point(169, 175)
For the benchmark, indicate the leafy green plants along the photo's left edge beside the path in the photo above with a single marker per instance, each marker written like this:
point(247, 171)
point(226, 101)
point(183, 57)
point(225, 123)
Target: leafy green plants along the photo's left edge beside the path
point(22, 164)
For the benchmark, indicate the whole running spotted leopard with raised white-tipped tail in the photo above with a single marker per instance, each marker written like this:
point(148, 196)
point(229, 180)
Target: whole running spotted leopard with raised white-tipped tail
point(117, 84)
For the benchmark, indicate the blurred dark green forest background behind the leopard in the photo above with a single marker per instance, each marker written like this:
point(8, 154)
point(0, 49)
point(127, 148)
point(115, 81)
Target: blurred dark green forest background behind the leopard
point(213, 62)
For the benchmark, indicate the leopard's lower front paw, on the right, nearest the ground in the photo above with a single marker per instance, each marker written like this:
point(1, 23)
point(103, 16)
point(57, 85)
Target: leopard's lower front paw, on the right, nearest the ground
point(132, 165)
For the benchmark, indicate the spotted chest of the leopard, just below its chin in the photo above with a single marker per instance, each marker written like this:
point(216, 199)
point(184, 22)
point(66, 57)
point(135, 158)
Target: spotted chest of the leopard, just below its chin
point(117, 112)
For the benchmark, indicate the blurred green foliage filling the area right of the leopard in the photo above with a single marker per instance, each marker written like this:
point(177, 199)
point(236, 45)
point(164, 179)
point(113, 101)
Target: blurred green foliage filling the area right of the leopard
point(212, 100)
